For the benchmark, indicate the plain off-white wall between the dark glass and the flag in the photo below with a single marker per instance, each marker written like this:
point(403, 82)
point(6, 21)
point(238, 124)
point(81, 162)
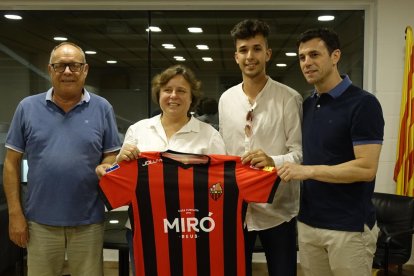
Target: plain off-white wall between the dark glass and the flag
point(392, 19)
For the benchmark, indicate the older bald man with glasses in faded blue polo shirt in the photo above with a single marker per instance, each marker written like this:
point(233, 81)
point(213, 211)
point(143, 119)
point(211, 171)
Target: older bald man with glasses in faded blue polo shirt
point(65, 133)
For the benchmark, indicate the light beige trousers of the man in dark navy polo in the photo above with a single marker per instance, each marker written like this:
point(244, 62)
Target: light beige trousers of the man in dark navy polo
point(325, 252)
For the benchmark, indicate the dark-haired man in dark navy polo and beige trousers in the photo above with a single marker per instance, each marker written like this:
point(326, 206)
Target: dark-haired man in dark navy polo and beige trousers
point(343, 130)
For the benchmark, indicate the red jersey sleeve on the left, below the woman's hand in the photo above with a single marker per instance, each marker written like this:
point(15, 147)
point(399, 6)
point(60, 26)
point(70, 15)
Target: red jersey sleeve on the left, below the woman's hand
point(118, 185)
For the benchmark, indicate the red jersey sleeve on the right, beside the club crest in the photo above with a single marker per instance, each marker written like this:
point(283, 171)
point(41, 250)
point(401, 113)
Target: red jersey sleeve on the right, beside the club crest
point(257, 185)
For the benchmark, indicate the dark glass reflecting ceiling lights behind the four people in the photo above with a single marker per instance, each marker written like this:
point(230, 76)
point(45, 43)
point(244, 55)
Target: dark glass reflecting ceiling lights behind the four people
point(137, 54)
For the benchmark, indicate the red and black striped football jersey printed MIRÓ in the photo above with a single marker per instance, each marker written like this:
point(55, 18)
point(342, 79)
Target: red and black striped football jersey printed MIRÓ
point(187, 210)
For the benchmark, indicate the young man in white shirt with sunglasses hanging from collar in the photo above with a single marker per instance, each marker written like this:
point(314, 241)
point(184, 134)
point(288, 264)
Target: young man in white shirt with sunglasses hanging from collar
point(260, 120)
